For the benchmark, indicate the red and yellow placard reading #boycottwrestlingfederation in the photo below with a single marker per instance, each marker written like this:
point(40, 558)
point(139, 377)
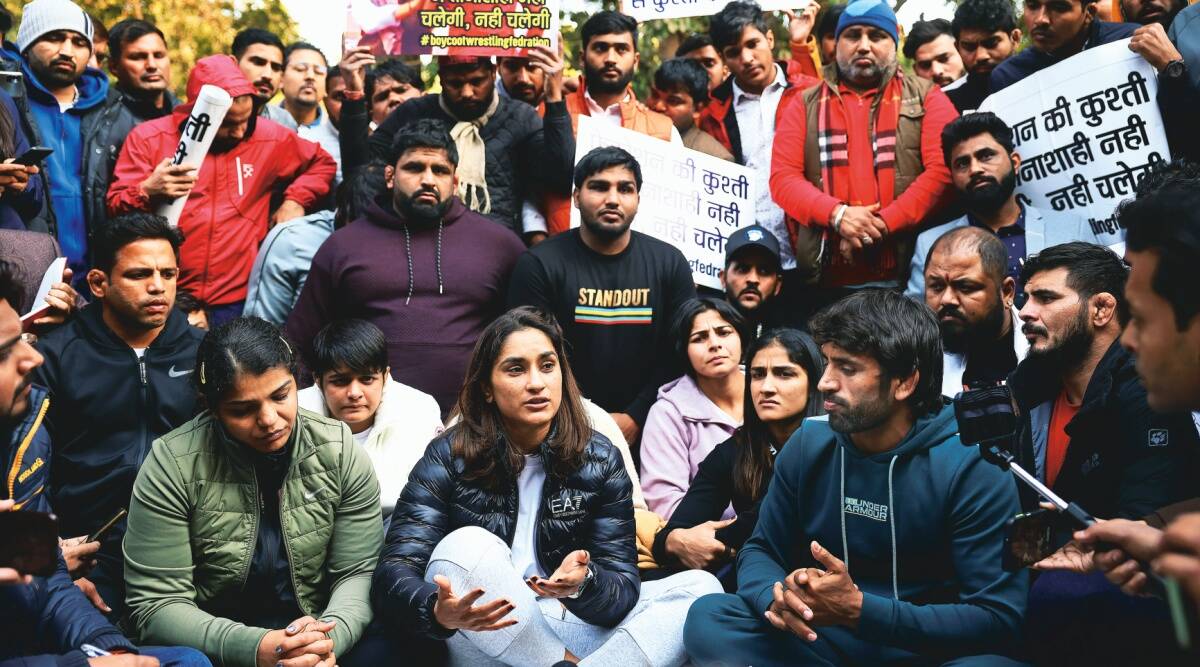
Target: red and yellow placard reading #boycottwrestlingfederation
point(453, 27)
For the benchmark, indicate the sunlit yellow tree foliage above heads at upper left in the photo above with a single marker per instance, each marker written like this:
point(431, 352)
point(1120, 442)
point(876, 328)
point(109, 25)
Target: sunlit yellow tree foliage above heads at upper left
point(194, 28)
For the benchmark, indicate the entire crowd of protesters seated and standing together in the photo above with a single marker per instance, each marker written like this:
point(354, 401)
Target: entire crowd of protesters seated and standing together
point(373, 400)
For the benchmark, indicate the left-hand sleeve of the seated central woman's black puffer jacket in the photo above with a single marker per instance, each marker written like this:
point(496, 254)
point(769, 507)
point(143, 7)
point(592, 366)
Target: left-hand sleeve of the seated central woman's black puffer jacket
point(421, 521)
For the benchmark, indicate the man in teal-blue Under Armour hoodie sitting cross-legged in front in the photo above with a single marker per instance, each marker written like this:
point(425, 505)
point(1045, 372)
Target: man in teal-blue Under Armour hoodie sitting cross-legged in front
point(880, 539)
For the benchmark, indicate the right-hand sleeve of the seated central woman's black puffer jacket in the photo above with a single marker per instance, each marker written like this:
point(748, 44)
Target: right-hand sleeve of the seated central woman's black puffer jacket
point(617, 586)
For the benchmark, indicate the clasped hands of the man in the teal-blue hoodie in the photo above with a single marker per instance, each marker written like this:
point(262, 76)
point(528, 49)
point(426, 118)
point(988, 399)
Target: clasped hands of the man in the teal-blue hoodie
point(811, 598)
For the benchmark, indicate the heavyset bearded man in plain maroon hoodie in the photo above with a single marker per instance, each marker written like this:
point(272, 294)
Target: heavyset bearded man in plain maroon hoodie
point(421, 266)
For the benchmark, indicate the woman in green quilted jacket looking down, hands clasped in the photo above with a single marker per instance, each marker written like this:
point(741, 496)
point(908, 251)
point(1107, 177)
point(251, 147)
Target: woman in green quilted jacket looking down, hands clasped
point(255, 528)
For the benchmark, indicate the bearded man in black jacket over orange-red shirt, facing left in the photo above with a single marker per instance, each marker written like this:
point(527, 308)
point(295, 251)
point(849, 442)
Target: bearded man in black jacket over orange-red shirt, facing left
point(1087, 429)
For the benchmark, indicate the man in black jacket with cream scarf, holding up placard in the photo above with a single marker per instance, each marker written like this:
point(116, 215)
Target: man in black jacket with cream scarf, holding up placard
point(506, 155)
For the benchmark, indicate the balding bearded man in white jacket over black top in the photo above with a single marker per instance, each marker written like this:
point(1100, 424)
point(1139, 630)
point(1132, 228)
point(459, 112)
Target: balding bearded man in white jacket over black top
point(973, 298)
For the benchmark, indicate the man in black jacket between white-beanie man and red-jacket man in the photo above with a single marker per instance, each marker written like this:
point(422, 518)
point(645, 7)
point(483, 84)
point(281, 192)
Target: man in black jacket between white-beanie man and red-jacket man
point(142, 67)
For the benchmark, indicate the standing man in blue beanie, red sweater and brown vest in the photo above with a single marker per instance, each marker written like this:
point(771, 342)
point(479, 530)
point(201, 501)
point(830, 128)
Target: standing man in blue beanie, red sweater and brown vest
point(857, 163)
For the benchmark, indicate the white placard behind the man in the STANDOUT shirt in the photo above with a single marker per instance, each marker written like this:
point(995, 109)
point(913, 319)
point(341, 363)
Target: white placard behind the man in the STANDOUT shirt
point(689, 200)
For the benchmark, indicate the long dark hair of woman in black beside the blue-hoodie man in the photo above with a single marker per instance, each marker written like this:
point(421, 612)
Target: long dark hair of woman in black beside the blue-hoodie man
point(754, 465)
